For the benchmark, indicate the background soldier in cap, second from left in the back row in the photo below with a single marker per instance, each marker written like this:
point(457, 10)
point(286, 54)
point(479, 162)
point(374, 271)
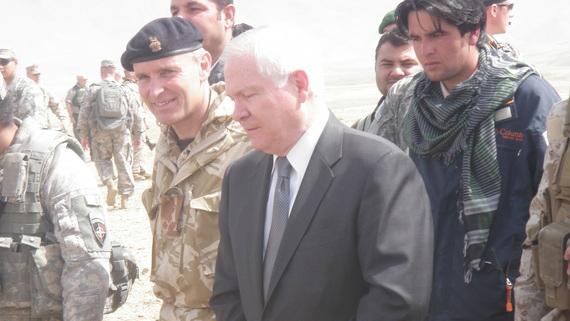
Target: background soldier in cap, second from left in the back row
point(50, 103)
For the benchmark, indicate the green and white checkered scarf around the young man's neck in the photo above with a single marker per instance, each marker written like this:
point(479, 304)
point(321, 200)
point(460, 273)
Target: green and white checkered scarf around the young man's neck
point(463, 123)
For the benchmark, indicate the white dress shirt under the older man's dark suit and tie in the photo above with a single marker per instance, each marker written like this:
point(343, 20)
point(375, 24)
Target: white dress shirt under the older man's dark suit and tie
point(299, 157)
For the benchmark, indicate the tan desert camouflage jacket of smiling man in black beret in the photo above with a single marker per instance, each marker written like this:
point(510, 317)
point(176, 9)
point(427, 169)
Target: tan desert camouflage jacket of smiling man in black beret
point(182, 204)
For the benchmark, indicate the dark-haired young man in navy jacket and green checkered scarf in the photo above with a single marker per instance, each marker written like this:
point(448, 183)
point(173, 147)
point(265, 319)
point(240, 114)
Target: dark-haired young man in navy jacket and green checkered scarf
point(474, 129)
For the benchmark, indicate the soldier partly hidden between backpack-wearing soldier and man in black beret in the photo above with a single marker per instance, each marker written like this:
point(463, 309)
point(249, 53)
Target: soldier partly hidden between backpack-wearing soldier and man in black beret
point(139, 171)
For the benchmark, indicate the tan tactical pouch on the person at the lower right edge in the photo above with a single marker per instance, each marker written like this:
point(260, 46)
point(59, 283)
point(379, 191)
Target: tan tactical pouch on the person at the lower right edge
point(552, 244)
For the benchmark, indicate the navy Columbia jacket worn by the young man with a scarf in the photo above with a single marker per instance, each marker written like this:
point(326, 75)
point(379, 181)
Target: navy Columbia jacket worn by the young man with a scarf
point(520, 147)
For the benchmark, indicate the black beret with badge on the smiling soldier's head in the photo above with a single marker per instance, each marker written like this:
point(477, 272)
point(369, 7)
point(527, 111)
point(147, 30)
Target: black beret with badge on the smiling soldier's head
point(161, 38)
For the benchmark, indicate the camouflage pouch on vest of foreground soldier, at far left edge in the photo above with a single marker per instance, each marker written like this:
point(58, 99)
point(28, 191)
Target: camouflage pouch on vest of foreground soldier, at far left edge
point(15, 176)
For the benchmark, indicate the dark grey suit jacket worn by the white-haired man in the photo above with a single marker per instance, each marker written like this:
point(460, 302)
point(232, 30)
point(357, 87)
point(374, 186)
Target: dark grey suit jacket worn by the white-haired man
point(356, 246)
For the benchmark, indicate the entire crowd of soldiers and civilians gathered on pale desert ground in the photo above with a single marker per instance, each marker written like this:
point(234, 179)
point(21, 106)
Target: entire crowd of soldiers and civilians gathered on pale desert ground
point(448, 201)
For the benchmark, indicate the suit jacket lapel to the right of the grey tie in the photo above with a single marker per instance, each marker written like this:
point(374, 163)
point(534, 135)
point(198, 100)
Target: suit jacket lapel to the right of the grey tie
point(315, 184)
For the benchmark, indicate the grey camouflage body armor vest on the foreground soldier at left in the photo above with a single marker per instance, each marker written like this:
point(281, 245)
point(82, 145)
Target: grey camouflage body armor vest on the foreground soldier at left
point(30, 257)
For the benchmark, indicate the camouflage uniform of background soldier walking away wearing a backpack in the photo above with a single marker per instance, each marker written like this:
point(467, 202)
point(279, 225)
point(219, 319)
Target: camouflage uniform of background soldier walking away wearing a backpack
point(109, 145)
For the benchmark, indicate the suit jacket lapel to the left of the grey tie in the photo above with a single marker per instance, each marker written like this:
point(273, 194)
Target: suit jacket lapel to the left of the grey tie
point(253, 228)
